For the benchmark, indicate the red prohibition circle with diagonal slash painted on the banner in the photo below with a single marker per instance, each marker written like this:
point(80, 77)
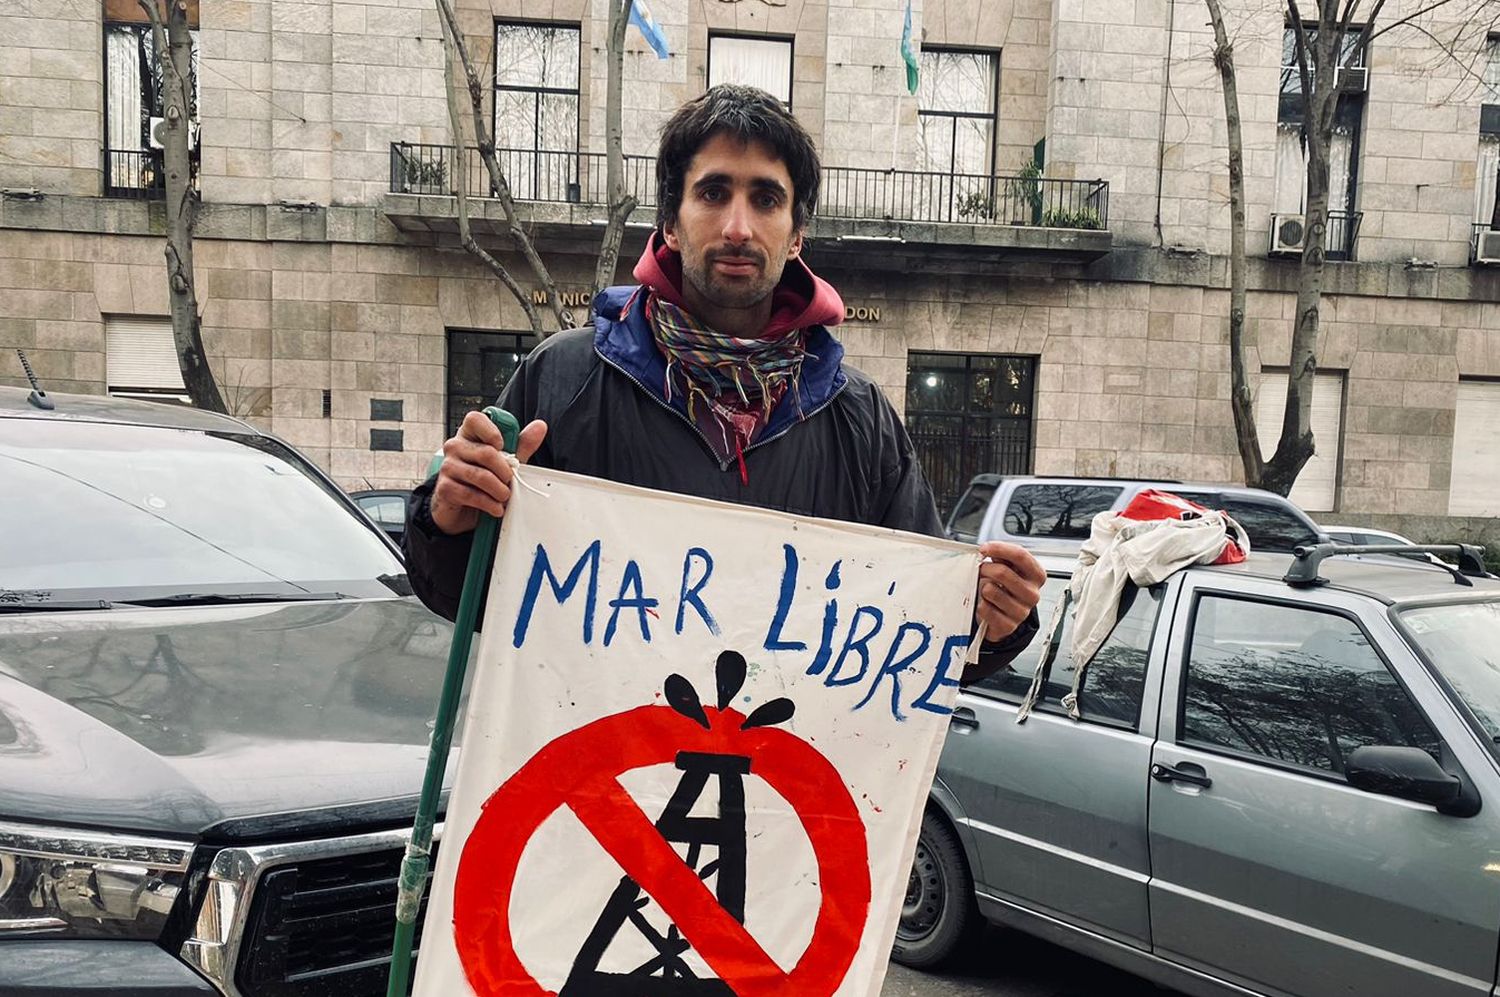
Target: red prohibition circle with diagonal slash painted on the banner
point(581, 770)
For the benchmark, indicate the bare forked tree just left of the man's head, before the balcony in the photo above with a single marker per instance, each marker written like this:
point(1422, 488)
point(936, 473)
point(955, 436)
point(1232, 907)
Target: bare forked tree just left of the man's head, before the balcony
point(620, 203)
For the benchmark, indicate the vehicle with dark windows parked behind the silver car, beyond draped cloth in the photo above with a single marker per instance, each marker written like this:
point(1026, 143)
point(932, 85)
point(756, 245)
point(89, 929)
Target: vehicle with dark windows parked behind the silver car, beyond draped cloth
point(1057, 513)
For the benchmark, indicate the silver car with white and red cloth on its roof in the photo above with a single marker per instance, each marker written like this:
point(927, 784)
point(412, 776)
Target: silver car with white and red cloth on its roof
point(1285, 782)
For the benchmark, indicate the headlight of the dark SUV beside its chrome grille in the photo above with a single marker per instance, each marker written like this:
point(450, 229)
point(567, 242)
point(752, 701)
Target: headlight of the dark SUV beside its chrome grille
point(88, 885)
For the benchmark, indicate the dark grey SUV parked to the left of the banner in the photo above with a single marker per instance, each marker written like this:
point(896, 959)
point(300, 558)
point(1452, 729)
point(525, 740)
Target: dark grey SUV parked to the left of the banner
point(215, 701)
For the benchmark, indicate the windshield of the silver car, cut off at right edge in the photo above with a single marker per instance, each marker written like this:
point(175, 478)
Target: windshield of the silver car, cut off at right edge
point(1463, 642)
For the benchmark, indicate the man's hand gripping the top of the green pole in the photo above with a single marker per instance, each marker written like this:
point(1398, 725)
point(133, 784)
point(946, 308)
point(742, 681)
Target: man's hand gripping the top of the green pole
point(475, 476)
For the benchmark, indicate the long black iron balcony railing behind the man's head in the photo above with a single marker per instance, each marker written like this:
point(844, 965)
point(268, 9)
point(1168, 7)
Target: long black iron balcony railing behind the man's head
point(848, 193)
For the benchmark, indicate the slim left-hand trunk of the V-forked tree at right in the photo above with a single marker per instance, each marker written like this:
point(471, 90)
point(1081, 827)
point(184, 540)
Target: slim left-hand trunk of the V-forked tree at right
point(1246, 434)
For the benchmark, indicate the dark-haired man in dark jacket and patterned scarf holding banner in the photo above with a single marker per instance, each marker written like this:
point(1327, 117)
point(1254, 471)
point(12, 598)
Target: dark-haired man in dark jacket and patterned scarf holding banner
point(715, 379)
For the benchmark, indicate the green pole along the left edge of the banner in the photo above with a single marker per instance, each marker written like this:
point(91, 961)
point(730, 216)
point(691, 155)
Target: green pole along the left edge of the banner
point(419, 852)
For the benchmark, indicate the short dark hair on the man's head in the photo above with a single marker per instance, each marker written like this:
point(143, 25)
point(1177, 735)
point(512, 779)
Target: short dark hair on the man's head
point(748, 115)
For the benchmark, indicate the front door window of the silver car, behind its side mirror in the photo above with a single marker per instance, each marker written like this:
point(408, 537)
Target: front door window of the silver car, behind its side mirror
point(1294, 686)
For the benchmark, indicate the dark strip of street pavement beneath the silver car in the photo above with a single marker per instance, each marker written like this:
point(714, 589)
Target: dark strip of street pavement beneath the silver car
point(1013, 965)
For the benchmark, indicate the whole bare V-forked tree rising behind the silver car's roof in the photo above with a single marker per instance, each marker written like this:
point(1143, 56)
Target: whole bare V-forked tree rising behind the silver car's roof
point(1325, 46)
